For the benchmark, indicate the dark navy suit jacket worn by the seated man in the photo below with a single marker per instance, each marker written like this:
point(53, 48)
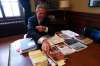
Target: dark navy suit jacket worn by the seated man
point(33, 33)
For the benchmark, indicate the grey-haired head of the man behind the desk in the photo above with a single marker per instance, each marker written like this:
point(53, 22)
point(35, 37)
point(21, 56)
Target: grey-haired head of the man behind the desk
point(40, 11)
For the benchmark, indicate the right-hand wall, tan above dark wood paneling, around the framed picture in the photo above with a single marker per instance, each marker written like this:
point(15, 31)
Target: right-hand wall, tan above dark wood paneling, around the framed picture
point(82, 16)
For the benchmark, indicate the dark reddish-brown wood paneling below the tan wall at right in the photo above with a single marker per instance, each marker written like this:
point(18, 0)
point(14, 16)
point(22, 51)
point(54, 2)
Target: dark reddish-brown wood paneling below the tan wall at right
point(79, 20)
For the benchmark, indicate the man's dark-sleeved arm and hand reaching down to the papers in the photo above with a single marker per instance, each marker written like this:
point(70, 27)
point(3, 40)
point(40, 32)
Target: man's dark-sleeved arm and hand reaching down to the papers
point(34, 34)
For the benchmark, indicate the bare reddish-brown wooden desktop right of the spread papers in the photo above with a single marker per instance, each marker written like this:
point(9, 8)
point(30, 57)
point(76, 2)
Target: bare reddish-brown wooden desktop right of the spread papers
point(87, 57)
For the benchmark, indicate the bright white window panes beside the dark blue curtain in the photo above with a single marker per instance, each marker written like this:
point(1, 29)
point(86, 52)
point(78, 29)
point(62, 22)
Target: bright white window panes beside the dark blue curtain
point(10, 8)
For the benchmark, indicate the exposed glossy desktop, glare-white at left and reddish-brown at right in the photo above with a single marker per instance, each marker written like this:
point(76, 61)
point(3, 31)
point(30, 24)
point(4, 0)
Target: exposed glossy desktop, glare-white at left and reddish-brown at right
point(87, 57)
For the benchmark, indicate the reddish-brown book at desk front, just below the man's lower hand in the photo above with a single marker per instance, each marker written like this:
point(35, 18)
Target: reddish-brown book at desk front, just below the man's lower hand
point(56, 56)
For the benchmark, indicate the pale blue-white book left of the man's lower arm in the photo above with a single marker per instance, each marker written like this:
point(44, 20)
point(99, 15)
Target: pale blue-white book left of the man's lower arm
point(26, 45)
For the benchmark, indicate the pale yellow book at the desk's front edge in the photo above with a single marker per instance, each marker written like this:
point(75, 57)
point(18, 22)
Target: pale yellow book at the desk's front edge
point(38, 58)
